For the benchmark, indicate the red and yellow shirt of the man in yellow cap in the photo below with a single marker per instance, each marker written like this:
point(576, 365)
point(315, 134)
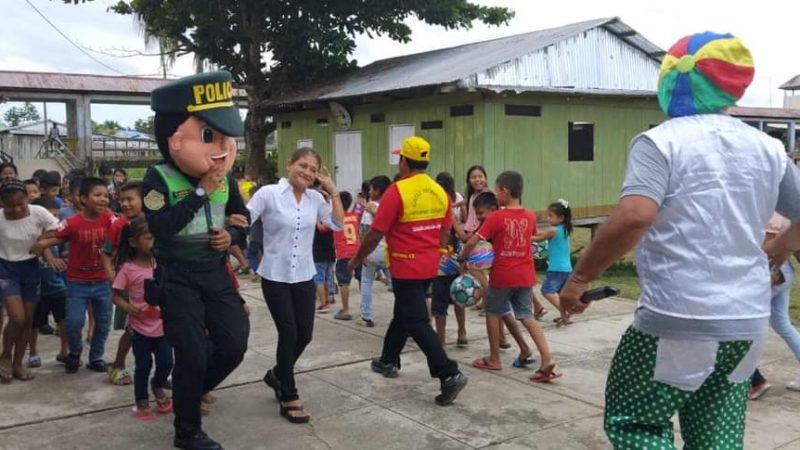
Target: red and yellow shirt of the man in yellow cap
point(412, 214)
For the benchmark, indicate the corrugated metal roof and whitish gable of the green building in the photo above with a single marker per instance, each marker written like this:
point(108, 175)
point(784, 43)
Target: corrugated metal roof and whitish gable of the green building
point(452, 65)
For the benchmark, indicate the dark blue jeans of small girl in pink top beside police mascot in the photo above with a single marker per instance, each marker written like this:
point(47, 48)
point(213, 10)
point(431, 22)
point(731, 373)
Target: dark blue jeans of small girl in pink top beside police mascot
point(144, 349)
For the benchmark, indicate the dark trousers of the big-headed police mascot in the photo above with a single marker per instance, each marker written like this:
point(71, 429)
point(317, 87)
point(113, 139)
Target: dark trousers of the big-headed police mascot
point(206, 324)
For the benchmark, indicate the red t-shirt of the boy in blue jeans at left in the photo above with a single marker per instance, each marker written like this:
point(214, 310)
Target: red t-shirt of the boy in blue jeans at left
point(86, 238)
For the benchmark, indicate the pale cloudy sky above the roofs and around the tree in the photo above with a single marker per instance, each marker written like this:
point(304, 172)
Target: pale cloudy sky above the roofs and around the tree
point(28, 43)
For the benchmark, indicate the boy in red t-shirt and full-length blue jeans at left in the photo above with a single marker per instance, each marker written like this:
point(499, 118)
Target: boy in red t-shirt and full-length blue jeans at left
point(87, 282)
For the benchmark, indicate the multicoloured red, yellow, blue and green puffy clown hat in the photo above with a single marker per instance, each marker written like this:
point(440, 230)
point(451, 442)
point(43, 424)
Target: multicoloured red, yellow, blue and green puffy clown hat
point(704, 73)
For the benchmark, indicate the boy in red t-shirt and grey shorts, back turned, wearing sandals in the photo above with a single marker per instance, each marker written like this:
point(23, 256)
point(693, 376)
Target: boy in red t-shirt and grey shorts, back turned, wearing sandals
point(512, 276)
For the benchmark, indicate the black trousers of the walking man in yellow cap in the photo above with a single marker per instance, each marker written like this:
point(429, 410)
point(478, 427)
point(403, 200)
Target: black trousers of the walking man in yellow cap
point(411, 319)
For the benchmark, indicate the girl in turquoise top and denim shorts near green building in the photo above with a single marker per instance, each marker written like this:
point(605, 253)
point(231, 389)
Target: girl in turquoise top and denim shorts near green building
point(559, 264)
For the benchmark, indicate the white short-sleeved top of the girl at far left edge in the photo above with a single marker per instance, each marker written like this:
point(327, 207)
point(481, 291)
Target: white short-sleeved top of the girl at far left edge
point(18, 236)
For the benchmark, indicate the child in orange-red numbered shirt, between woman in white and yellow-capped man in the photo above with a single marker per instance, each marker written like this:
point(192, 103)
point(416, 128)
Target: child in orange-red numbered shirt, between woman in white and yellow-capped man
point(346, 243)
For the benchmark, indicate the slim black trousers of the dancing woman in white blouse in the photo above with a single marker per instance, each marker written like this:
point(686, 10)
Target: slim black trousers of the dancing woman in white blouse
point(292, 306)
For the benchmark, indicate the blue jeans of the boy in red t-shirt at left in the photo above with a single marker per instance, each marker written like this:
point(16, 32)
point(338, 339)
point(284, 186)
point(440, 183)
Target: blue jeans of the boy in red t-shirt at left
point(79, 294)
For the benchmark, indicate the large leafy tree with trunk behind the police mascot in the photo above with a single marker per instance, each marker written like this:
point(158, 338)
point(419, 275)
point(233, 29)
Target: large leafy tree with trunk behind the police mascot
point(276, 46)
